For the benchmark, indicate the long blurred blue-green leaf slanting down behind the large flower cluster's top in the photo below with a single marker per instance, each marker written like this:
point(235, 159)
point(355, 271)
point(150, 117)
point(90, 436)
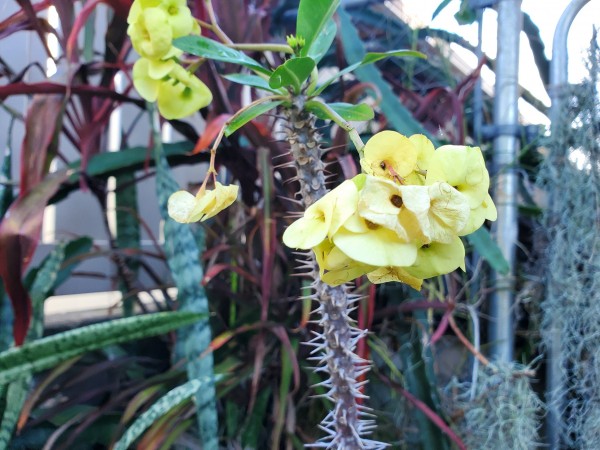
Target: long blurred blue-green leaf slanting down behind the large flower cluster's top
point(398, 116)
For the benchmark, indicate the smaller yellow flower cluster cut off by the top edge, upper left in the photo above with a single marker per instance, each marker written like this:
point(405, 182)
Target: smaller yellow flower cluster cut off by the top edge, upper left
point(153, 24)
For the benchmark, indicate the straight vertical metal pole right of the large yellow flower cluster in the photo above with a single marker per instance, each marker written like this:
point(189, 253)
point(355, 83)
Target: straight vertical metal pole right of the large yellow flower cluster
point(505, 154)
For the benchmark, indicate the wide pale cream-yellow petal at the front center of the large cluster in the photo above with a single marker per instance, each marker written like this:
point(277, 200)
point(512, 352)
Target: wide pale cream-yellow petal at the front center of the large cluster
point(372, 244)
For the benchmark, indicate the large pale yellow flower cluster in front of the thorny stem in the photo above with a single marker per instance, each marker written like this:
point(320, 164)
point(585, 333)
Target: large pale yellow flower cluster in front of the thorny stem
point(401, 220)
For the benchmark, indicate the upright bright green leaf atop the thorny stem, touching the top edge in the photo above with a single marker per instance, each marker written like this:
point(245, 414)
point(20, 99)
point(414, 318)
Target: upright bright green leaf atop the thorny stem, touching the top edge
point(313, 16)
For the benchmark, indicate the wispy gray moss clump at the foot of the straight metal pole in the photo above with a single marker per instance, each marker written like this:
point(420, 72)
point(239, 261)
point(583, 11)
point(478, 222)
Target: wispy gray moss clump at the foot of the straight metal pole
point(499, 410)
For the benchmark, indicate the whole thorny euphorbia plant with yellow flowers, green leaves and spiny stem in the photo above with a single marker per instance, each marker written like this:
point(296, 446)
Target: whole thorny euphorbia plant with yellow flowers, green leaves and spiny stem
point(400, 220)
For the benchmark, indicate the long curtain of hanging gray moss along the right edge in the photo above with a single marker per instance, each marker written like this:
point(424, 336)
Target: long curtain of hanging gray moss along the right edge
point(571, 323)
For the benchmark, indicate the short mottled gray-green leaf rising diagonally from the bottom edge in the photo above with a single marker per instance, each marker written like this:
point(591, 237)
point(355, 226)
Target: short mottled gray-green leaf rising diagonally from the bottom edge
point(164, 404)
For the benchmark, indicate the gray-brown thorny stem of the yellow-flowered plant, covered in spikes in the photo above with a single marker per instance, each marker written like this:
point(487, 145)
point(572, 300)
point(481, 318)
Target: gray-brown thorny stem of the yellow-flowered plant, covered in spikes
point(334, 347)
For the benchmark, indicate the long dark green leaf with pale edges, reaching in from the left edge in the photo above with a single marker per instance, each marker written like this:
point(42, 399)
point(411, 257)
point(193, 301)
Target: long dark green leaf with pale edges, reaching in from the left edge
point(44, 353)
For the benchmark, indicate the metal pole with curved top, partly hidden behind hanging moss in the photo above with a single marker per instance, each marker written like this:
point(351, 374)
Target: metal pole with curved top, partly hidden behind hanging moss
point(559, 70)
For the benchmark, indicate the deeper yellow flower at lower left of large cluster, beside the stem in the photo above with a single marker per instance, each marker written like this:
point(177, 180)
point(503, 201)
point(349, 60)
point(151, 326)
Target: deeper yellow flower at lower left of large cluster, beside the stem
point(335, 267)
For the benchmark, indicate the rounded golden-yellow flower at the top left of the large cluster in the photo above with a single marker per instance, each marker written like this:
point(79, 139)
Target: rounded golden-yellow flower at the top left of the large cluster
point(389, 155)
